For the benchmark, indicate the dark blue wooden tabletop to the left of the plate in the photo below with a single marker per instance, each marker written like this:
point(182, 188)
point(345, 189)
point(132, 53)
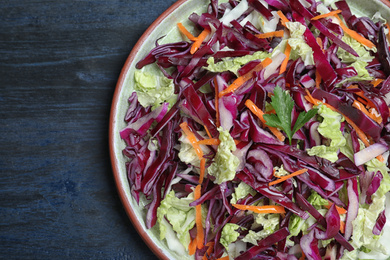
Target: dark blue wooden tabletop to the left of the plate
point(59, 63)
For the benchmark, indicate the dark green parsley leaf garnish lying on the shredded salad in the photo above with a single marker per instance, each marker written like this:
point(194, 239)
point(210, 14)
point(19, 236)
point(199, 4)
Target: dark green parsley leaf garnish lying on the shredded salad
point(283, 104)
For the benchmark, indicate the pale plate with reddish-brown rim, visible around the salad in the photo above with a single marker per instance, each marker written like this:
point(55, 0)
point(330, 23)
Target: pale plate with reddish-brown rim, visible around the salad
point(166, 25)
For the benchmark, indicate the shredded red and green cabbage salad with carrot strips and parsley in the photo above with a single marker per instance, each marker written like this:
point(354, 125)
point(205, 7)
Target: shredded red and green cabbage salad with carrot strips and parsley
point(263, 133)
